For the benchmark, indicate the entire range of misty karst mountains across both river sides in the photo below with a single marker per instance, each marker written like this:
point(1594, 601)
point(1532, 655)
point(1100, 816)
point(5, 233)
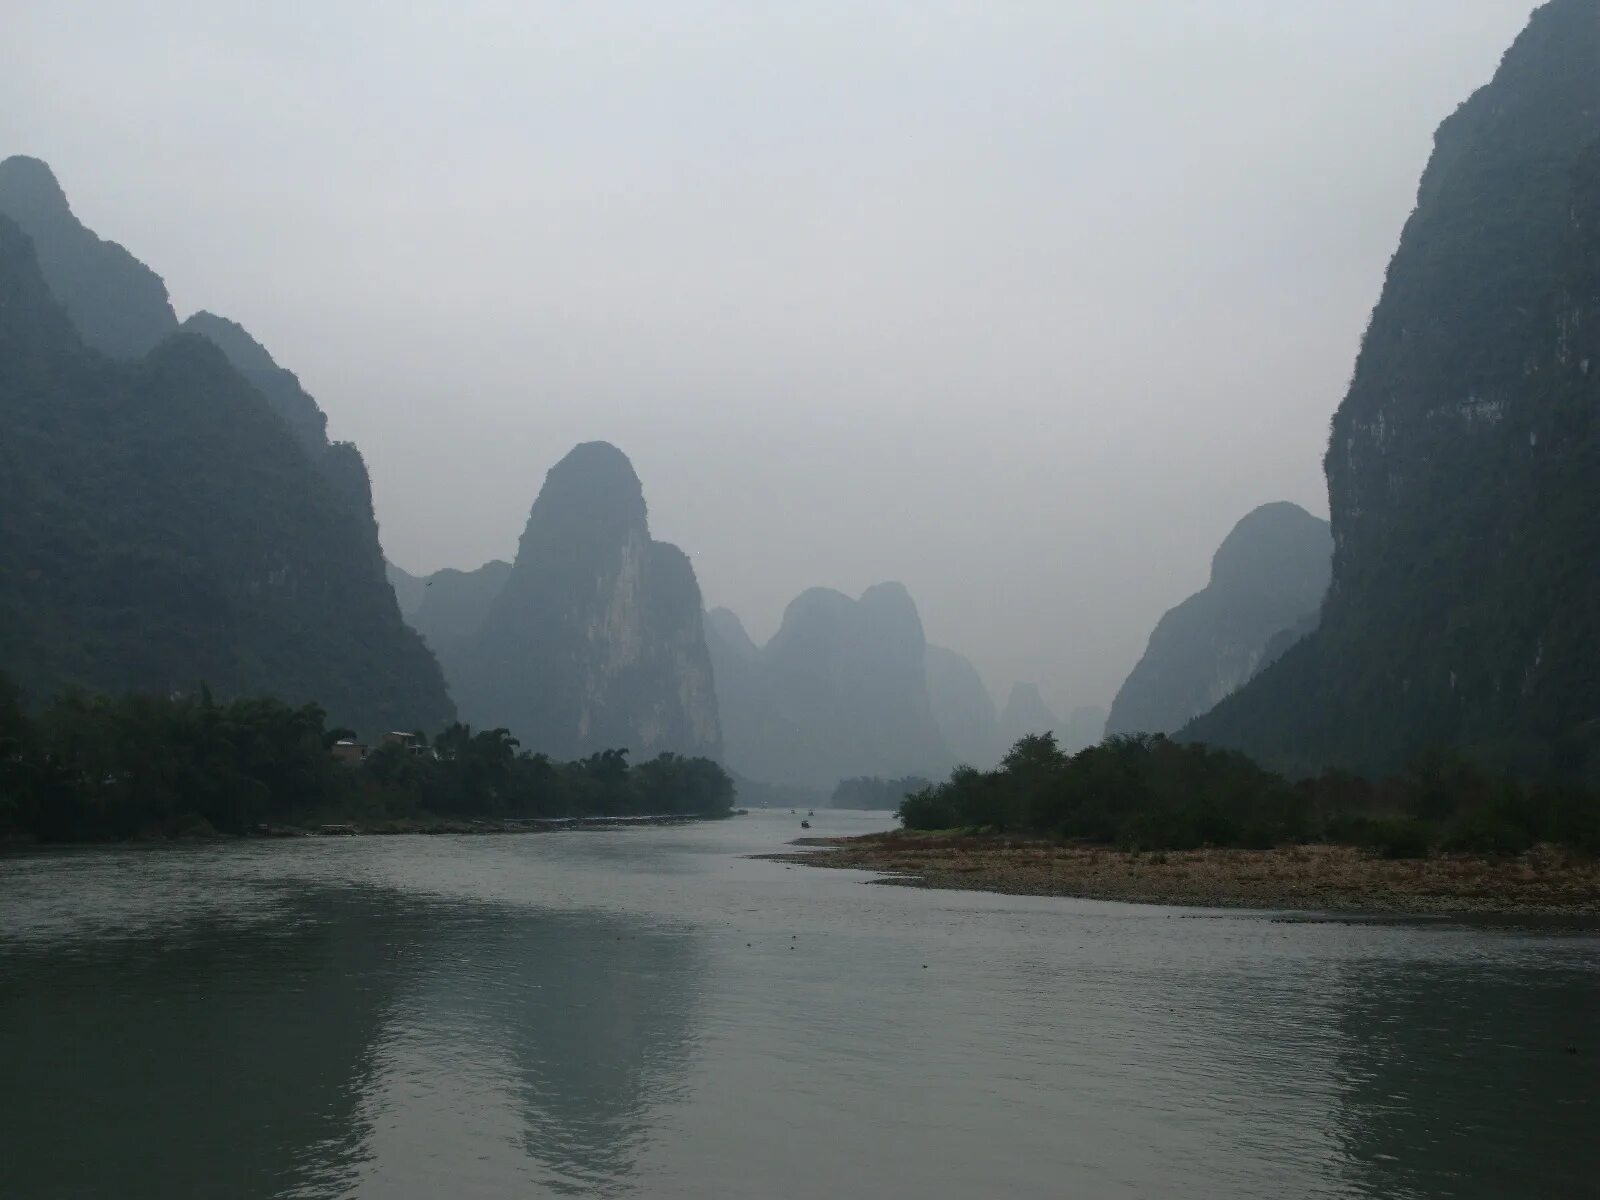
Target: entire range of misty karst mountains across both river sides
point(177, 518)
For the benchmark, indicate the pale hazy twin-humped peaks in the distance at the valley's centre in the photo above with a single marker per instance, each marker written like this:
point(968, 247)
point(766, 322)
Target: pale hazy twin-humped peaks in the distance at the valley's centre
point(841, 692)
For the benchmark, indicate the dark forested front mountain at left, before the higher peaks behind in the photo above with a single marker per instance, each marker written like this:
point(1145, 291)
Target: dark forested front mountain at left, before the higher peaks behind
point(162, 530)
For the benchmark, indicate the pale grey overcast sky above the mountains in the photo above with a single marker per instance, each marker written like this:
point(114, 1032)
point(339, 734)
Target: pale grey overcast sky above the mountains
point(1023, 305)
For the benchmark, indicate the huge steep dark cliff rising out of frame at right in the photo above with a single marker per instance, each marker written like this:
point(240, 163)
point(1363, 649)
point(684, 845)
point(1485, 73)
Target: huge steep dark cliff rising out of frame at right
point(1465, 462)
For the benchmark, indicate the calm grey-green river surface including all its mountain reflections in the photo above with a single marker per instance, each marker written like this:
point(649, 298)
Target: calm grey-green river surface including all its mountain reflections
point(652, 1014)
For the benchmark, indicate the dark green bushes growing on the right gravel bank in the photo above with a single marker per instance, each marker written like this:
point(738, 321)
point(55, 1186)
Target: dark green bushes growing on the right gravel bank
point(1150, 793)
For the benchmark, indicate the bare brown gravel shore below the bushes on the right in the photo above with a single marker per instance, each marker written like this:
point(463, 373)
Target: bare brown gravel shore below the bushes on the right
point(1314, 878)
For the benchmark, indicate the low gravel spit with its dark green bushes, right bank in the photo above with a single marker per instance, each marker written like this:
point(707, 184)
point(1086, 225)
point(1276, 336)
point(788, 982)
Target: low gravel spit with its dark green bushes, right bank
point(1145, 818)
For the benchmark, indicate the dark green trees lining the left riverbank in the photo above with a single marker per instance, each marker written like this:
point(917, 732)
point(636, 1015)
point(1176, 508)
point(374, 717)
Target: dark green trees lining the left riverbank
point(92, 769)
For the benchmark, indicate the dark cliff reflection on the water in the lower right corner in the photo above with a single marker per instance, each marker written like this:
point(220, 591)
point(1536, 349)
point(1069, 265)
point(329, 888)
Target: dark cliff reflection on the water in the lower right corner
point(1468, 1079)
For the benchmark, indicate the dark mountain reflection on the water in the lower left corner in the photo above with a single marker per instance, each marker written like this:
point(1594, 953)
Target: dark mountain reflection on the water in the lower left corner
point(228, 1058)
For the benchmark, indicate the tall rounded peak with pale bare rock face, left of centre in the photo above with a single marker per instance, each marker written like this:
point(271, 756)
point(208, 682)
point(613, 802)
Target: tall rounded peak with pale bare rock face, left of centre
point(594, 641)
